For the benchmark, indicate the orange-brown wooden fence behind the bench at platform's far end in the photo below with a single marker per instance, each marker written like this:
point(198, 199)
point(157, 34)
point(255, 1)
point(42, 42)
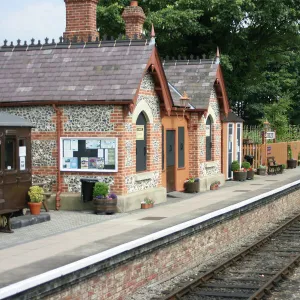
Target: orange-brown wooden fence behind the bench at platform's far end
point(279, 150)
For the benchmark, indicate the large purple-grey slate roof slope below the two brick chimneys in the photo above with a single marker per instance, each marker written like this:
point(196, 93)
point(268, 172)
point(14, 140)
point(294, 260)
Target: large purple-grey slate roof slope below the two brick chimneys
point(73, 72)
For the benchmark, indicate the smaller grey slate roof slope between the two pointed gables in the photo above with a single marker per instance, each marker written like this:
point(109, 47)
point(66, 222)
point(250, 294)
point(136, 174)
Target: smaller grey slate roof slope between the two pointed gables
point(196, 77)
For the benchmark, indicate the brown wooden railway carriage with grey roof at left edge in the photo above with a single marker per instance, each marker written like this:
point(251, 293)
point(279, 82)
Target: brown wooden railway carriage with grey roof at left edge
point(15, 166)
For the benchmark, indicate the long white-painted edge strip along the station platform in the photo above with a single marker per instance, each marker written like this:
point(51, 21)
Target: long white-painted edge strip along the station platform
point(29, 283)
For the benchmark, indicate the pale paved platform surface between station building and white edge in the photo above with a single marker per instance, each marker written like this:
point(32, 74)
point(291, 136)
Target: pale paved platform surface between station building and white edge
point(70, 236)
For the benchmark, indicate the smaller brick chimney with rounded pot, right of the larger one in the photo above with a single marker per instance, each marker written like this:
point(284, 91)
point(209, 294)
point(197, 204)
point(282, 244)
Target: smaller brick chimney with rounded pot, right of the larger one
point(134, 18)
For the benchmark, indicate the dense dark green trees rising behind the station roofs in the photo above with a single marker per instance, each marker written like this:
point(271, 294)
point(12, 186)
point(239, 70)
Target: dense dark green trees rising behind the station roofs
point(259, 42)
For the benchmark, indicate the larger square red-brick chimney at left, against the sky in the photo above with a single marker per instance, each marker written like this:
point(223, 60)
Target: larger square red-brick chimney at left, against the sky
point(81, 19)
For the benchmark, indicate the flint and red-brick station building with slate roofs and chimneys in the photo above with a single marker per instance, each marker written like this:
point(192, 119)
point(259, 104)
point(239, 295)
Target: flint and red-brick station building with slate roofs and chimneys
point(115, 111)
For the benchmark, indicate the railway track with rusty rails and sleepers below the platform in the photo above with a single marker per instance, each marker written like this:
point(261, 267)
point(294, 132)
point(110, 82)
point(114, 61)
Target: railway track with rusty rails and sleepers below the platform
point(252, 273)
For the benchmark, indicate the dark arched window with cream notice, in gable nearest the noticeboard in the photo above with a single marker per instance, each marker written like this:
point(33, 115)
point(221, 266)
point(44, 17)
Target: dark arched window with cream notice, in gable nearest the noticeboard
point(141, 143)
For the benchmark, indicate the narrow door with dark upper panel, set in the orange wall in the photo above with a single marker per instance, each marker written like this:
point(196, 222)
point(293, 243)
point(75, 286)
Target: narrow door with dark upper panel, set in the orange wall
point(170, 149)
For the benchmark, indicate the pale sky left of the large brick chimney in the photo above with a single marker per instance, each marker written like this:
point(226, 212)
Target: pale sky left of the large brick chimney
point(27, 19)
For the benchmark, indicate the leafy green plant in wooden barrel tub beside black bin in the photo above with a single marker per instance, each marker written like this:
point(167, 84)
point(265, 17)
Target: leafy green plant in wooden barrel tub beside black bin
point(104, 202)
